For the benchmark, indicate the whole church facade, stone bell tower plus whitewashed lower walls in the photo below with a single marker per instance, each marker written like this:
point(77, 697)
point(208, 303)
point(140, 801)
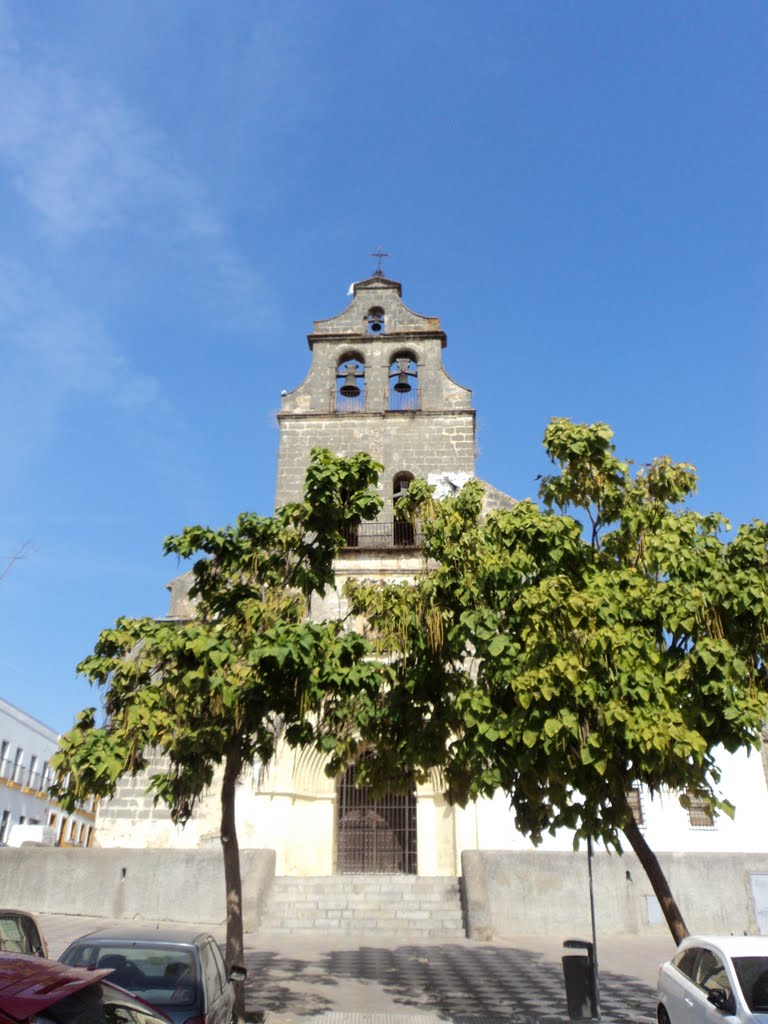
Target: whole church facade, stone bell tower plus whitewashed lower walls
point(377, 383)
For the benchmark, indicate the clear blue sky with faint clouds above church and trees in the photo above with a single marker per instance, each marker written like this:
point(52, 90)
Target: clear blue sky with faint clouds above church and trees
point(577, 190)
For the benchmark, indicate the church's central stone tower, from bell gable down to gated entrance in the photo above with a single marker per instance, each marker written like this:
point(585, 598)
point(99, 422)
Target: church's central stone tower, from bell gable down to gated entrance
point(376, 385)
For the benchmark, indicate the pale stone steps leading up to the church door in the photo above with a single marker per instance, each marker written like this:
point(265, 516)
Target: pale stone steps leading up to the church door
point(394, 905)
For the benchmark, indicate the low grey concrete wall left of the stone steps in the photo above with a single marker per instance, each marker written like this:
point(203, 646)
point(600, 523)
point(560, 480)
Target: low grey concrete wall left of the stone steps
point(152, 885)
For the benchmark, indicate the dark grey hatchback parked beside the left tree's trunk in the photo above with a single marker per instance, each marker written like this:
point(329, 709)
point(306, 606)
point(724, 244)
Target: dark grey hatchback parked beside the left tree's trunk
point(180, 971)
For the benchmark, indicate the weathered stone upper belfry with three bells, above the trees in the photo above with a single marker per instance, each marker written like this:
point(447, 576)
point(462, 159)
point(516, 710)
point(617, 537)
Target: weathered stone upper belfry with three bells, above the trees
point(377, 385)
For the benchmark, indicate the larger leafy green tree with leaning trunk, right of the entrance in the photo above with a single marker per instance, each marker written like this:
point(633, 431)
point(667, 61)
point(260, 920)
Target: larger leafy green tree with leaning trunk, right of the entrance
point(567, 654)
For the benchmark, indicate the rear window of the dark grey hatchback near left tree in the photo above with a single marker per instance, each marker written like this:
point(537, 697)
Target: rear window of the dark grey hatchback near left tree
point(165, 976)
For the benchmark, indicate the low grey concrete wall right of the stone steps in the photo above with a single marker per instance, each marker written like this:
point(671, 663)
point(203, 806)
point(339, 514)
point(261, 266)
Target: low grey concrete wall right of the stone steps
point(540, 893)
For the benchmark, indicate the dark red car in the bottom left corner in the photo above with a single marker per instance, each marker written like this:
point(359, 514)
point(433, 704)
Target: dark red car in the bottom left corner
point(34, 991)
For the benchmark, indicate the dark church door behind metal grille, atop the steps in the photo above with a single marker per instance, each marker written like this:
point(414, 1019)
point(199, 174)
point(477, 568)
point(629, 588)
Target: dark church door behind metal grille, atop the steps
point(374, 836)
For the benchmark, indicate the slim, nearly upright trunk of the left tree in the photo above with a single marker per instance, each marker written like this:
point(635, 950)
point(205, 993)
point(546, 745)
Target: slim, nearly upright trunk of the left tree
point(234, 958)
